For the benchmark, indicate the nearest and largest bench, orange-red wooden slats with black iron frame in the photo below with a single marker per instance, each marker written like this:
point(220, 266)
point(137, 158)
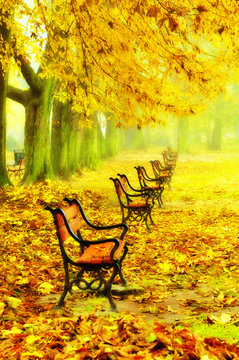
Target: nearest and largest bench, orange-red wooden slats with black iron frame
point(91, 257)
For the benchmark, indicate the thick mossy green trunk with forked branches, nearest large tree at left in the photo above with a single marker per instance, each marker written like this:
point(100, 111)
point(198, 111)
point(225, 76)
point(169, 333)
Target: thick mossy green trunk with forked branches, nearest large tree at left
point(38, 105)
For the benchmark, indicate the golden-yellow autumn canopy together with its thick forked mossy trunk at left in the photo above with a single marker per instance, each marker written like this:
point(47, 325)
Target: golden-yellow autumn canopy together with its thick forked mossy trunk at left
point(135, 59)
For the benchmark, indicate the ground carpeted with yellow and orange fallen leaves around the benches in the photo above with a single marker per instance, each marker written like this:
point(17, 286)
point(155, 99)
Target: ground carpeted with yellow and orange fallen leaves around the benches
point(187, 267)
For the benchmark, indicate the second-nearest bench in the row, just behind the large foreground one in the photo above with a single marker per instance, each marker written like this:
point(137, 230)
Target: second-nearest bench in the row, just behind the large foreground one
point(136, 205)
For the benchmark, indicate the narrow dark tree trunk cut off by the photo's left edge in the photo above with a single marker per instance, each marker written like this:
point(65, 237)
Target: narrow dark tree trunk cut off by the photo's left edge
point(4, 180)
